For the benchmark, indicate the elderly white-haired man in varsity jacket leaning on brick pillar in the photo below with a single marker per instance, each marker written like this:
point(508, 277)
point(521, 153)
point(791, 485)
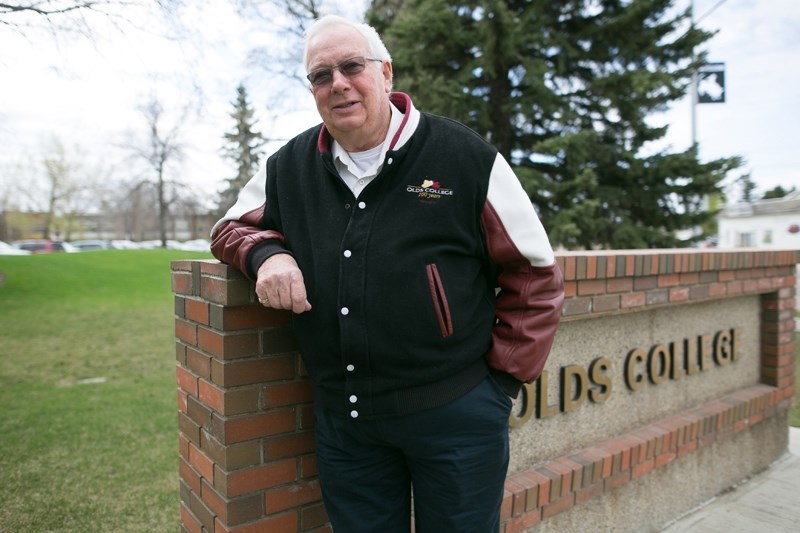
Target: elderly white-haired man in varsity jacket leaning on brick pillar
point(423, 286)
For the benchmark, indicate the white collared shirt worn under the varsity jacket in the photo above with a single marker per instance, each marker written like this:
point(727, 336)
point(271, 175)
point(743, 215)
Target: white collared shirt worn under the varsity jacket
point(357, 169)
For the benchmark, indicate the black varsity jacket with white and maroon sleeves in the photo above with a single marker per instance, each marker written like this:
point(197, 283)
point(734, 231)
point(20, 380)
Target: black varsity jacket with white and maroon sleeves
point(438, 273)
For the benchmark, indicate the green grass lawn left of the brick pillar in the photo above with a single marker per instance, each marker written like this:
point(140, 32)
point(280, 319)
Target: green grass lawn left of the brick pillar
point(88, 433)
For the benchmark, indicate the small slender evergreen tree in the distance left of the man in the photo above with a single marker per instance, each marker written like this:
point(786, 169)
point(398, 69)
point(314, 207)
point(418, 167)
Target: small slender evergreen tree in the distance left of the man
point(243, 146)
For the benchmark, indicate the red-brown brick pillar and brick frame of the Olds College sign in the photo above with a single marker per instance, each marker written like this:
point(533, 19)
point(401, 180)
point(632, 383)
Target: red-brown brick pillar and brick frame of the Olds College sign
point(244, 404)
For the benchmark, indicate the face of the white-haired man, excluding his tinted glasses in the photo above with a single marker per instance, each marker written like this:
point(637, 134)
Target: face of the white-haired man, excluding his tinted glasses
point(355, 109)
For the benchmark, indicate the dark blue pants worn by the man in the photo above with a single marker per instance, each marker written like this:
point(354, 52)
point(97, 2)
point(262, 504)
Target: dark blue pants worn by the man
point(455, 457)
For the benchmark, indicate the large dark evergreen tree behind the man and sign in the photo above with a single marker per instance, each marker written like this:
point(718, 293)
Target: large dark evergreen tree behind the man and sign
point(564, 89)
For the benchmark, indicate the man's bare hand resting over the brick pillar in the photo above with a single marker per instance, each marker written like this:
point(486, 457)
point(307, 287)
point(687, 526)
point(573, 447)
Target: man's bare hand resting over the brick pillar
point(280, 284)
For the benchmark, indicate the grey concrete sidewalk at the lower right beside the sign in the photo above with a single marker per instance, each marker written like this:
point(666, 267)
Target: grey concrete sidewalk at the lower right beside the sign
point(767, 502)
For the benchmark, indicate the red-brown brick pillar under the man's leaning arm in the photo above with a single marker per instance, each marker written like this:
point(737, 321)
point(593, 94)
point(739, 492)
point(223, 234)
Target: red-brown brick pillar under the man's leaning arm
point(245, 414)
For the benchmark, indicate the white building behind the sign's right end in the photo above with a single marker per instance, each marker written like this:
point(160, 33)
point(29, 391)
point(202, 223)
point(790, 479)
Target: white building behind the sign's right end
point(773, 223)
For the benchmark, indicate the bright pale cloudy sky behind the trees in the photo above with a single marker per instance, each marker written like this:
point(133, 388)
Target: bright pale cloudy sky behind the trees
point(87, 92)
